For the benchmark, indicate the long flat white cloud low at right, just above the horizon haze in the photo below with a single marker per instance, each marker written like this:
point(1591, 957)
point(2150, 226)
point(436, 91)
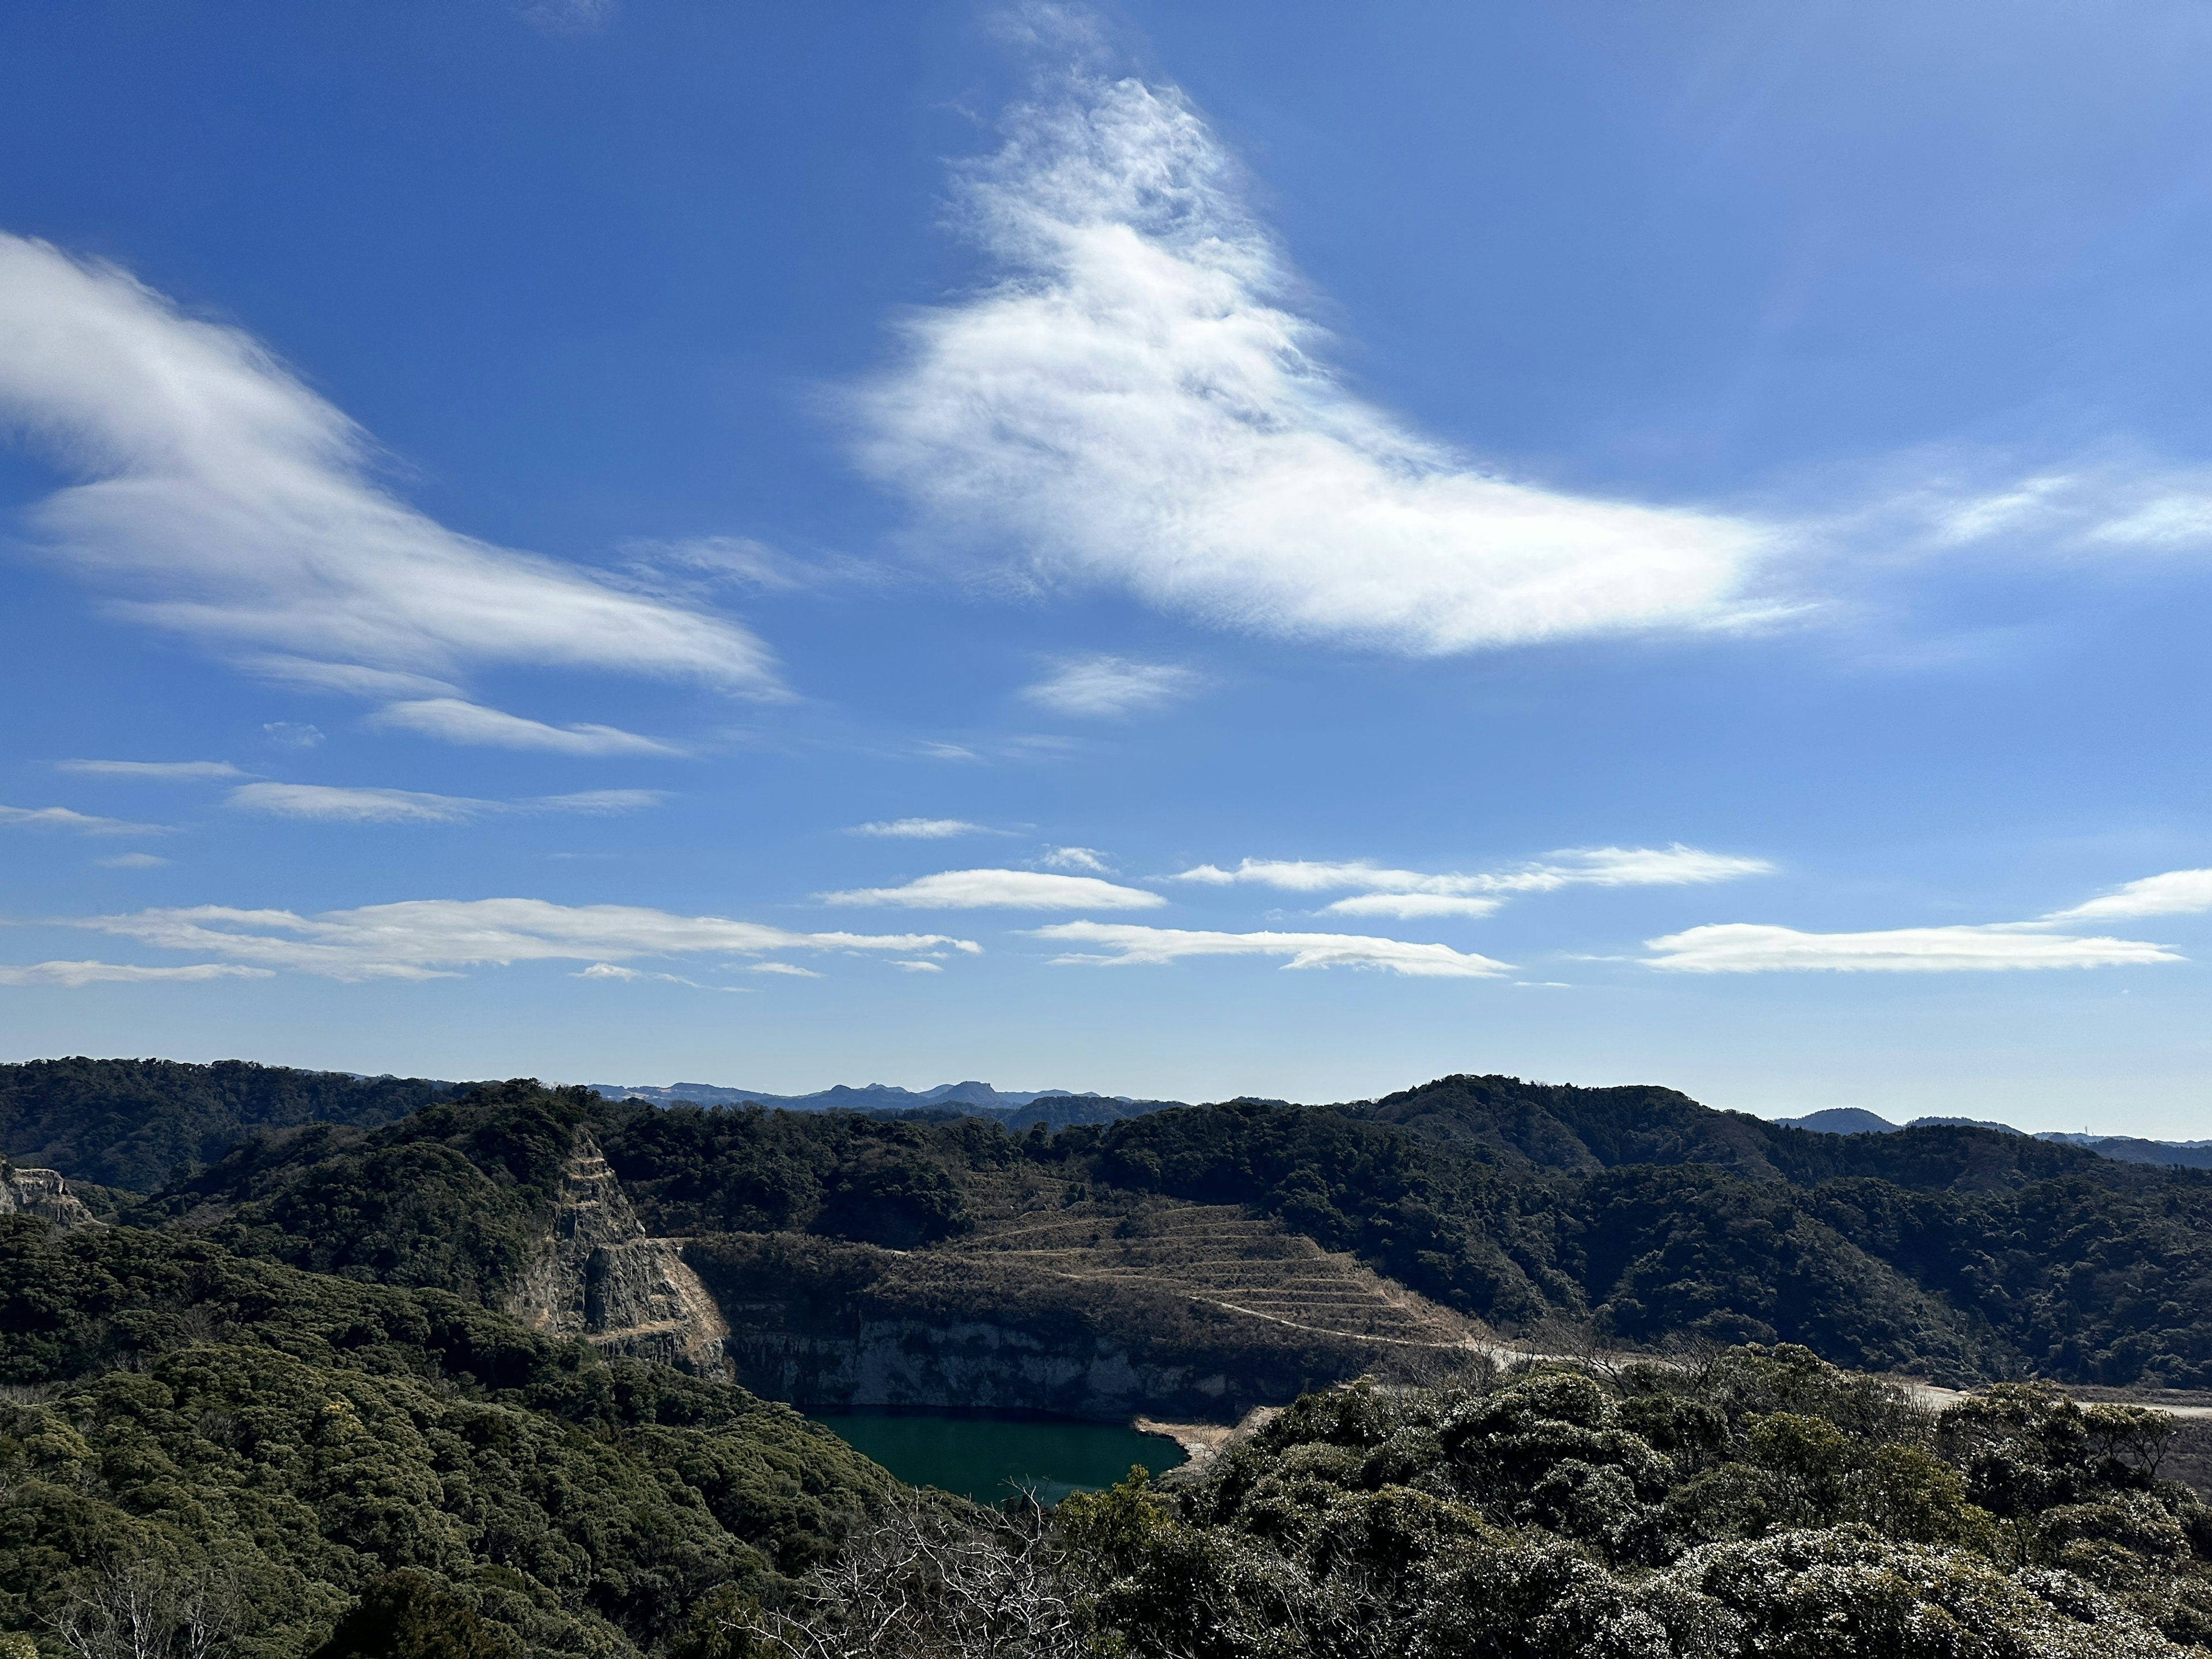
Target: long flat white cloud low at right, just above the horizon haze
point(1749, 948)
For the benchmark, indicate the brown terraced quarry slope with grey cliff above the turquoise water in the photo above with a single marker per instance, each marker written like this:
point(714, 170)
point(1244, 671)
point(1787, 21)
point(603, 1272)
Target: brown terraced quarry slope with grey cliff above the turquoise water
point(1061, 1300)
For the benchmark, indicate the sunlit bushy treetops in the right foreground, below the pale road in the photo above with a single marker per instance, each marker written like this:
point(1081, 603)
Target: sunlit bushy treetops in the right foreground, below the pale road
point(1760, 1503)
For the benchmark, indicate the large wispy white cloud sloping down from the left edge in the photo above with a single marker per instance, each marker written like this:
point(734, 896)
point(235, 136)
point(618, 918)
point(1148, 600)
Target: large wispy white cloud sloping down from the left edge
point(231, 503)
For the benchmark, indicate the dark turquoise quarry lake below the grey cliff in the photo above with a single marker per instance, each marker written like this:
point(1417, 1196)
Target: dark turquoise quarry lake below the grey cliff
point(990, 1457)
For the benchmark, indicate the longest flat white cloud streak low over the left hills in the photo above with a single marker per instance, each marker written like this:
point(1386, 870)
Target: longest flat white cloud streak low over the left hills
point(439, 937)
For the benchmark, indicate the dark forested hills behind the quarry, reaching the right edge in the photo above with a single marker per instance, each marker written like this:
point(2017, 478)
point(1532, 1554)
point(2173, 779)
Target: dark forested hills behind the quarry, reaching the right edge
point(1636, 1213)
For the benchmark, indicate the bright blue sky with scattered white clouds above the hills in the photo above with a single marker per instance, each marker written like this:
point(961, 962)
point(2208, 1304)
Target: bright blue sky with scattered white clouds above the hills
point(1165, 550)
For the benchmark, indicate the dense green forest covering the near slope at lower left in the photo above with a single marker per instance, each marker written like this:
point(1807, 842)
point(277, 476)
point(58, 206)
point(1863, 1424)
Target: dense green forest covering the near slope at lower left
point(196, 1419)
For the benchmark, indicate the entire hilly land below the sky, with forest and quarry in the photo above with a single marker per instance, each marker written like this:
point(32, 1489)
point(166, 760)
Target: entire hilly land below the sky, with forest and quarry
point(1587, 1359)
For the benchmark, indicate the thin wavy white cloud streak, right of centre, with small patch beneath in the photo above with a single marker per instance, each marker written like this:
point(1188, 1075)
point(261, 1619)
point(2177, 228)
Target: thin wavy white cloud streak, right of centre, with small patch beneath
point(1576, 868)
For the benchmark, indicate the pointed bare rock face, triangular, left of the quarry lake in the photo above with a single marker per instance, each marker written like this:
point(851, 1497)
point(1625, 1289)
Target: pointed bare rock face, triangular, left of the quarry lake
point(601, 1277)
